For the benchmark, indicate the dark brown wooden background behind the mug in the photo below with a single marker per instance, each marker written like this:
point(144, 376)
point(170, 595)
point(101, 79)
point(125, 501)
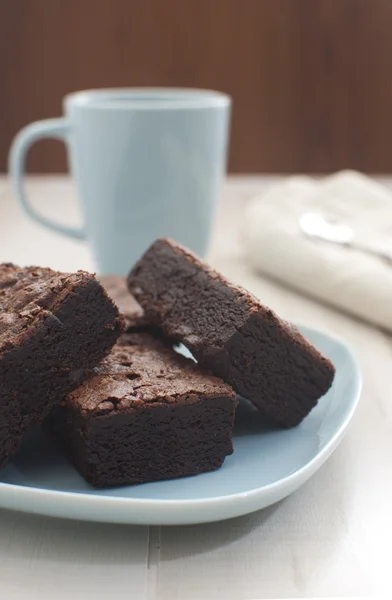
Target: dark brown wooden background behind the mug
point(311, 79)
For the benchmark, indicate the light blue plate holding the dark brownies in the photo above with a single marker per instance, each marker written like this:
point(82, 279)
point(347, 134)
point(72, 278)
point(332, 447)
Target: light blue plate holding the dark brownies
point(267, 465)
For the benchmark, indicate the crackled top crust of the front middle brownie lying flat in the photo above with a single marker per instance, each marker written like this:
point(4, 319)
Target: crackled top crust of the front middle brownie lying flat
point(142, 369)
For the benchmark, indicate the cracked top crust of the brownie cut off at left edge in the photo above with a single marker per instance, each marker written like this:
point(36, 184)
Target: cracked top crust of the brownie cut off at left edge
point(30, 294)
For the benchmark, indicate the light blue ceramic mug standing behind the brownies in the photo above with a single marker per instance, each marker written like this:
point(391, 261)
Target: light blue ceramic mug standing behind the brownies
point(147, 163)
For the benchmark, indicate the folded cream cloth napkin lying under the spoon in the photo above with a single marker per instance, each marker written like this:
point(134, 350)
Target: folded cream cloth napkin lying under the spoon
point(349, 279)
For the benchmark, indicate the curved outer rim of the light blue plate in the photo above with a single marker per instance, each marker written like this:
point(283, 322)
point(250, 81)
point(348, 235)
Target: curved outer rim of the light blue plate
point(28, 496)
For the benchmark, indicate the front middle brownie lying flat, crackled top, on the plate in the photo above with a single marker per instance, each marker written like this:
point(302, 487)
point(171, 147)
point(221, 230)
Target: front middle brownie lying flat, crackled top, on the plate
point(146, 414)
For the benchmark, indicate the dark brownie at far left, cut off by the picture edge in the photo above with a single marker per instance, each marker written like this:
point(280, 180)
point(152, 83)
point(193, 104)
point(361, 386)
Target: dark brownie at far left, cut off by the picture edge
point(54, 328)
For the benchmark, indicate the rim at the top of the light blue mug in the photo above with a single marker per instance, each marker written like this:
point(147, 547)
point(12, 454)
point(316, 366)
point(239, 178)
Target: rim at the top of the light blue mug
point(147, 98)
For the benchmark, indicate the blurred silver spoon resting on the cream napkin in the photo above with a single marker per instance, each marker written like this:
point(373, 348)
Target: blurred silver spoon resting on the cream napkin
point(330, 230)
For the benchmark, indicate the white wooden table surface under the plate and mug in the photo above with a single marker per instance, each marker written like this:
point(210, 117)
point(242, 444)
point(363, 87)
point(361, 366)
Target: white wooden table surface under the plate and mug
point(332, 538)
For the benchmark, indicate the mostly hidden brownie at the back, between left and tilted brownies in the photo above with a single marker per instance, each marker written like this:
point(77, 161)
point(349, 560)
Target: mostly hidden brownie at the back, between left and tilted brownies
point(133, 313)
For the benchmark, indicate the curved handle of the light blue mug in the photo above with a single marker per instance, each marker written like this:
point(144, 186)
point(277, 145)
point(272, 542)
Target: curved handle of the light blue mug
point(49, 128)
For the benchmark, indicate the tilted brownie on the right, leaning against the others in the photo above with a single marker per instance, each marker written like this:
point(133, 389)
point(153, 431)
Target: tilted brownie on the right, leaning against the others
point(230, 332)
